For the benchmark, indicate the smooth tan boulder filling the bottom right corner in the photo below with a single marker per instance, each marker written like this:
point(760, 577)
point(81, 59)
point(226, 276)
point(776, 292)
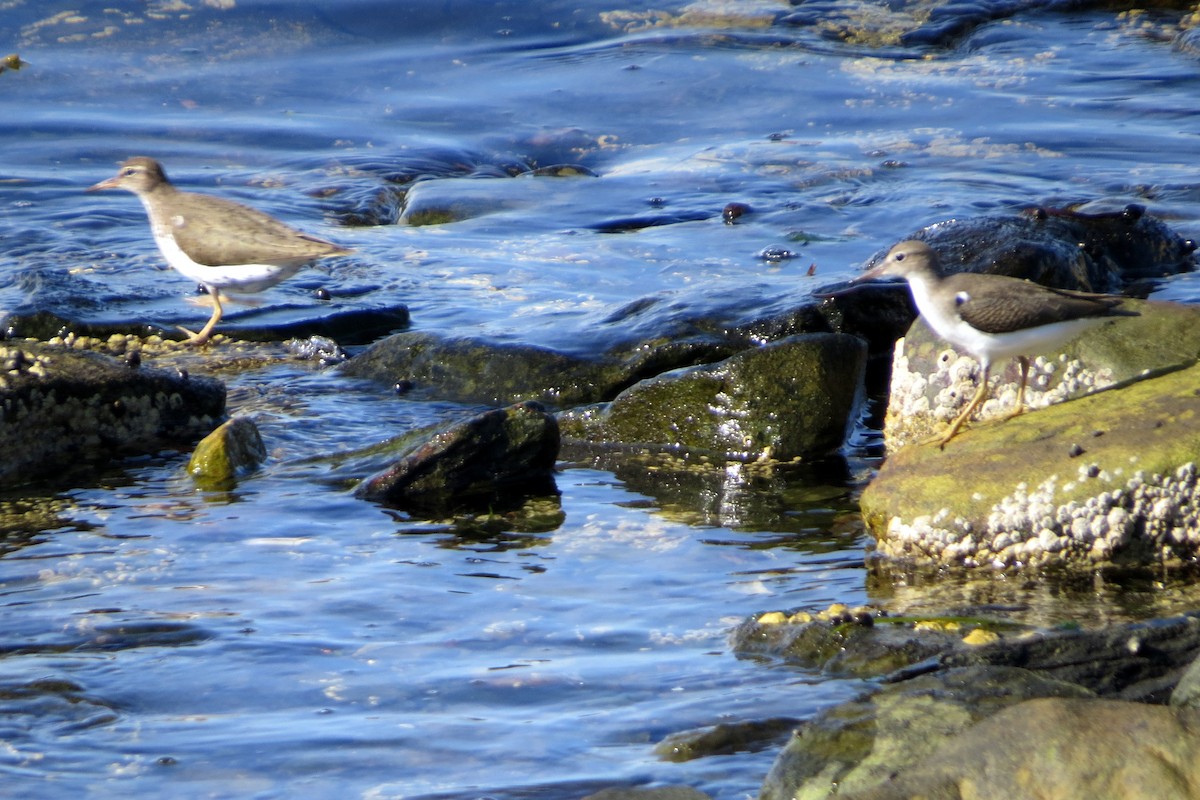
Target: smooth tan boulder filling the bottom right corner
point(1066, 748)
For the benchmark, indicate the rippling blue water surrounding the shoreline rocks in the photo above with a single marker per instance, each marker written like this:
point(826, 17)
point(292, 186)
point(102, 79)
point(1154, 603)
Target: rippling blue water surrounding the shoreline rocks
point(286, 640)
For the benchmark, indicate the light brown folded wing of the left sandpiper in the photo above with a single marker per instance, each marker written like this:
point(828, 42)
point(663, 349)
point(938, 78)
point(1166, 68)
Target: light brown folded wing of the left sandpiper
point(223, 233)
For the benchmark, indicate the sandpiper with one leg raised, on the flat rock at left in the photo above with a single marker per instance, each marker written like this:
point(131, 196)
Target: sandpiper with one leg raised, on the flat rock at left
point(223, 245)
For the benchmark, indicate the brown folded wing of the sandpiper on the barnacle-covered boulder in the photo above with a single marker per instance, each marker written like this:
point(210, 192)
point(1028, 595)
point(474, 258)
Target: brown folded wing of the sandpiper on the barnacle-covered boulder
point(1001, 305)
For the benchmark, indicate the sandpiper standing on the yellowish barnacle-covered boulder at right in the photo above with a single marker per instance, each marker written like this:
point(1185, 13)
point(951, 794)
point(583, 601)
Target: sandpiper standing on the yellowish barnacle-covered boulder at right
point(992, 316)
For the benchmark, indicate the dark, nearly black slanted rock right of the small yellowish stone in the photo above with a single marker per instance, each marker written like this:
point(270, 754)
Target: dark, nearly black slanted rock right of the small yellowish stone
point(496, 458)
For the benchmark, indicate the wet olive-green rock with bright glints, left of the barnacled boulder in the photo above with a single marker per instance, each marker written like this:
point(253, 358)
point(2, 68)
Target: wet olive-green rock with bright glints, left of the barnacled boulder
point(785, 400)
